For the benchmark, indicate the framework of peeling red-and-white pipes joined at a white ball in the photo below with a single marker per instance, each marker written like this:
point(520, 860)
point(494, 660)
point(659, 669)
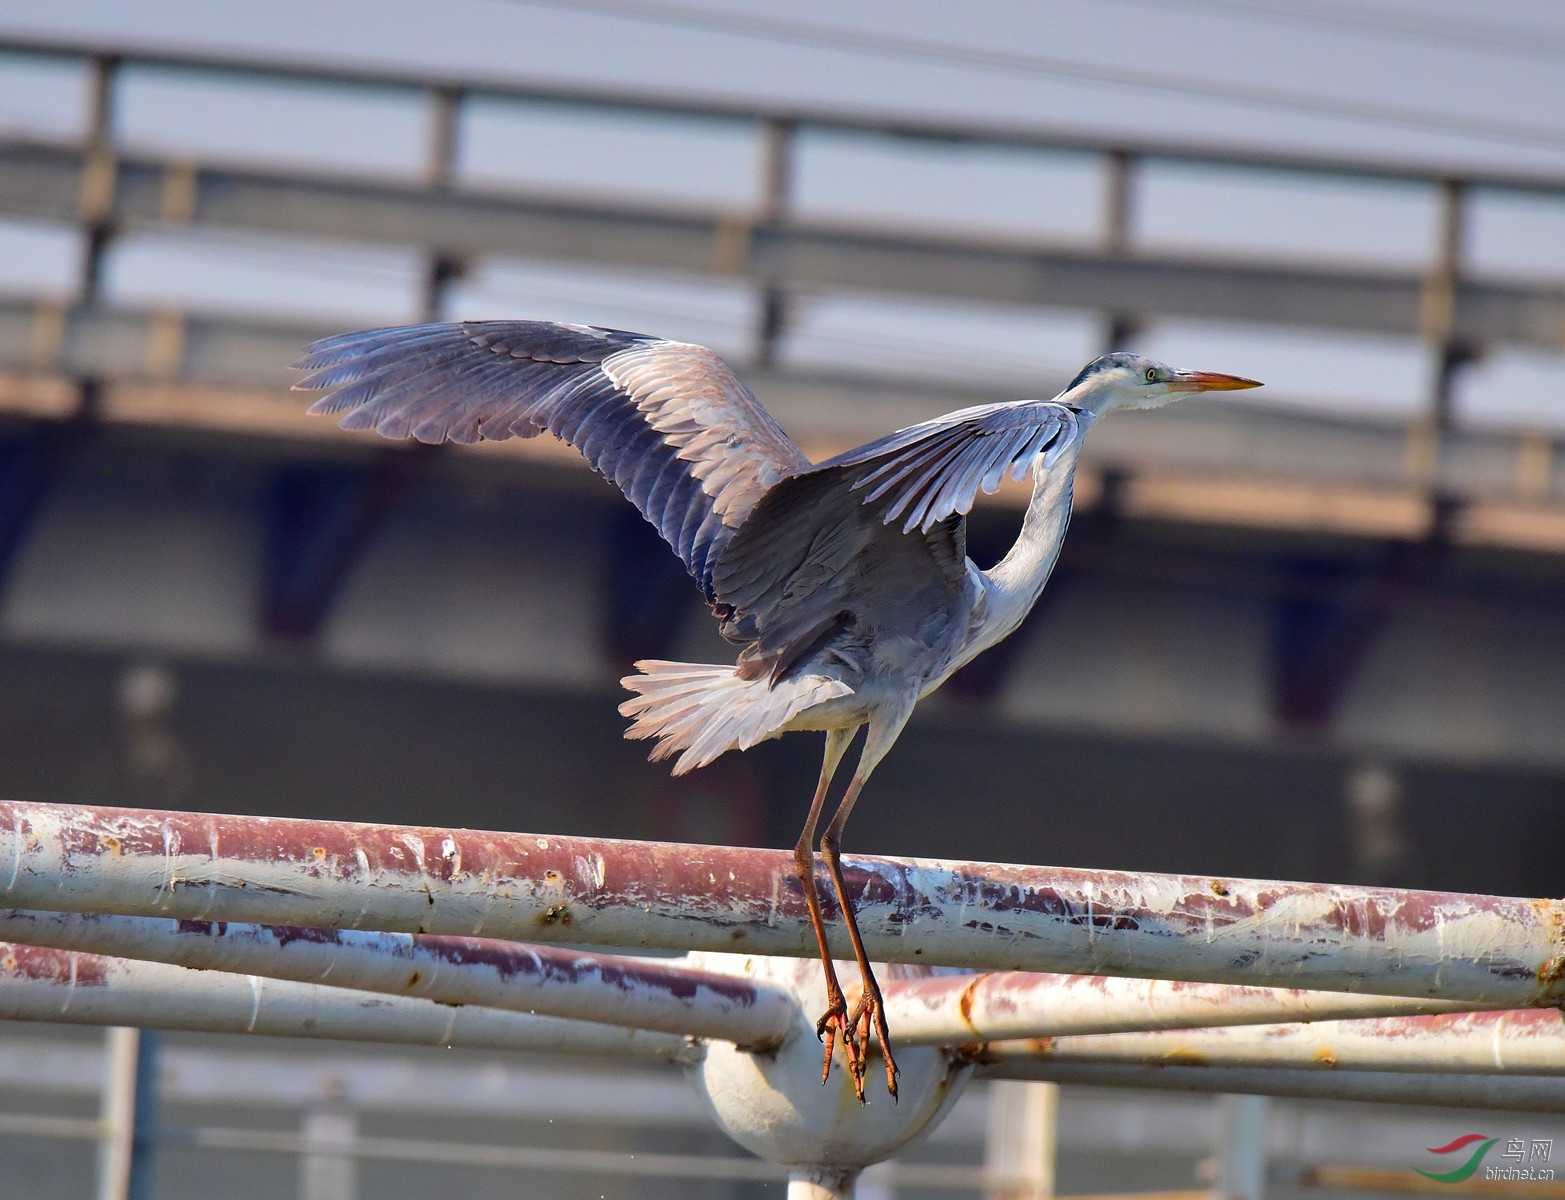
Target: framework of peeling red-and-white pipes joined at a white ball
point(387, 933)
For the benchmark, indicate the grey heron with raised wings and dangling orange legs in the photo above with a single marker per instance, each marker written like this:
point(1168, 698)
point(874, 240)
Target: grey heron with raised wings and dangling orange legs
point(846, 583)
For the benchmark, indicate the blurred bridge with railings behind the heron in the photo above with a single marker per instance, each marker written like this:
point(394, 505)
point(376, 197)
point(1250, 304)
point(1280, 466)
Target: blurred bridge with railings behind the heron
point(1319, 638)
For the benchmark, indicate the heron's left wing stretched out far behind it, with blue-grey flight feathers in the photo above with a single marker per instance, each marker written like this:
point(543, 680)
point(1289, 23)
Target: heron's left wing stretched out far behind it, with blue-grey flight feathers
point(666, 422)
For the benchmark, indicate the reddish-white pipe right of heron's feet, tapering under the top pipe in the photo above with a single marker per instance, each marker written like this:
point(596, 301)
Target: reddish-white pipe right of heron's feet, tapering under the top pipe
point(951, 1010)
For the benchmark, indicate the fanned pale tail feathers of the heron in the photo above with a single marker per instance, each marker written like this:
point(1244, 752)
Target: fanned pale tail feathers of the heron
point(700, 711)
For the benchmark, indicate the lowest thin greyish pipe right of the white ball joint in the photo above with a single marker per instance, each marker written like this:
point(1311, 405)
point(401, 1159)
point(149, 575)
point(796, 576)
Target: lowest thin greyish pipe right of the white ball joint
point(1503, 1093)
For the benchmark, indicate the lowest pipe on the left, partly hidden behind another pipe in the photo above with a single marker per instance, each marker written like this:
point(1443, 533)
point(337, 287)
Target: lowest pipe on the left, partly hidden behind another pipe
point(46, 985)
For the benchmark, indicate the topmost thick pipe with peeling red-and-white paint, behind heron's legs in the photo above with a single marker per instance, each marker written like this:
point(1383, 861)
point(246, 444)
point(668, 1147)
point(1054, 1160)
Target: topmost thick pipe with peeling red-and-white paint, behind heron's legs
point(1498, 950)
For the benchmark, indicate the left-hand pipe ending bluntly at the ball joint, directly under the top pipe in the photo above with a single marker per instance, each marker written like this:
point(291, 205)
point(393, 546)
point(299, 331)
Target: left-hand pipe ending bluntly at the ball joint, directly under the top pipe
point(450, 971)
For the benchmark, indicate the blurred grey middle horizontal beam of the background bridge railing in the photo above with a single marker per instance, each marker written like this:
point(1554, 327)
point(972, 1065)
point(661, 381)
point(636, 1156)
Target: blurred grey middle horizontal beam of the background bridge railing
point(45, 182)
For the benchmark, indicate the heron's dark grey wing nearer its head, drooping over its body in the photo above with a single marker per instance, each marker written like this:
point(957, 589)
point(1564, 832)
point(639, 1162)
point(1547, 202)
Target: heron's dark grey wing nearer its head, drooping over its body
point(876, 536)
